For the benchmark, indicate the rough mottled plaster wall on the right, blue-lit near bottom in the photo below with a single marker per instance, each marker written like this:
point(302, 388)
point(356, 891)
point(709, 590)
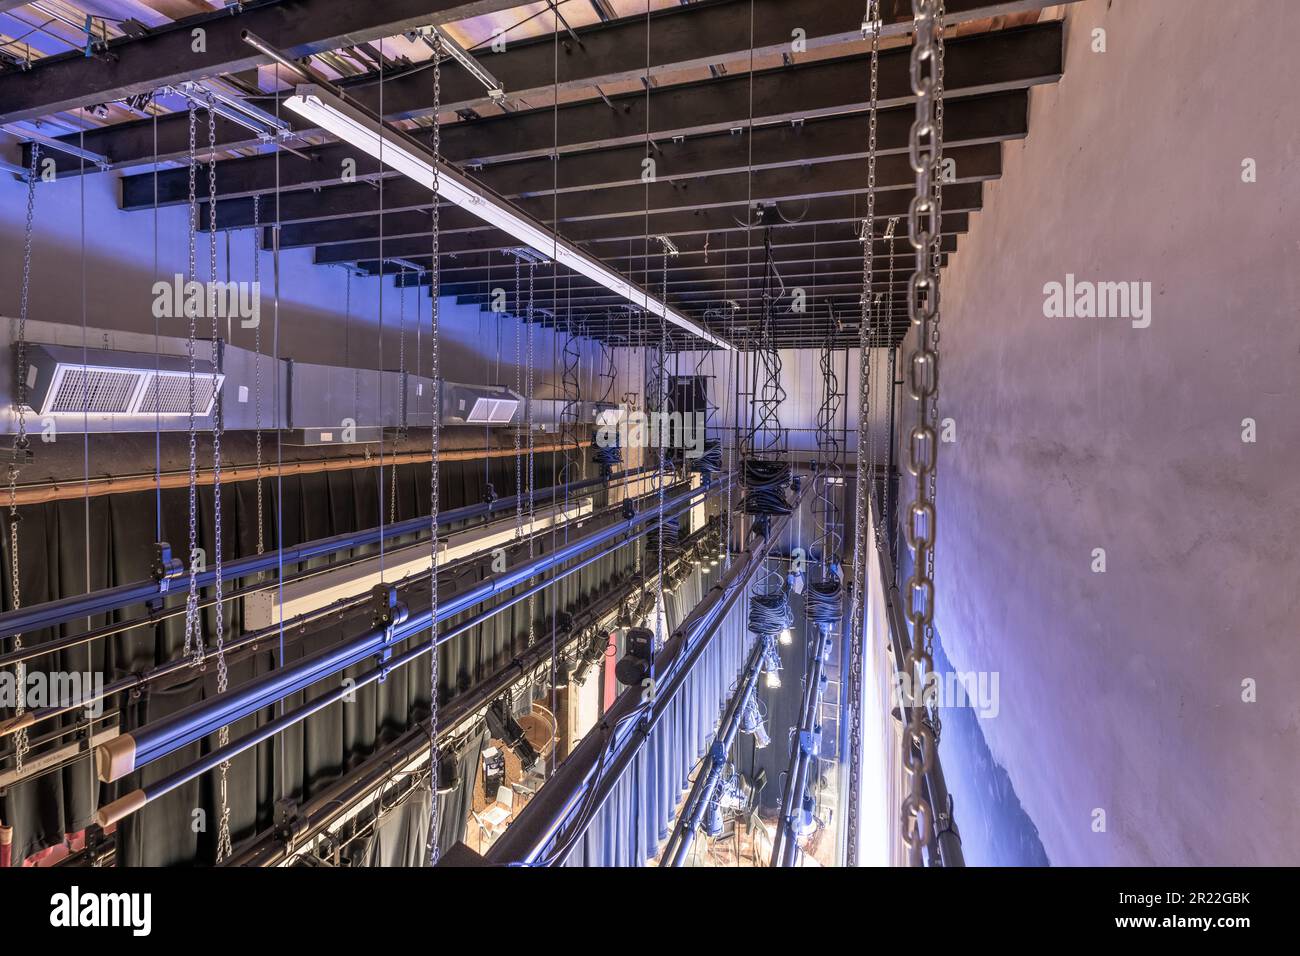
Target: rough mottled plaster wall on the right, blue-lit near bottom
point(1123, 691)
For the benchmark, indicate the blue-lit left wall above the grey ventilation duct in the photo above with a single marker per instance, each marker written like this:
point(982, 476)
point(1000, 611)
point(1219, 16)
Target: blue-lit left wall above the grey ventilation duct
point(96, 265)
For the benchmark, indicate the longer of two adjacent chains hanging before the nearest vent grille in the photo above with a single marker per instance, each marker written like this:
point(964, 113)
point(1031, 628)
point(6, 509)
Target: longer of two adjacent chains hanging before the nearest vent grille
point(224, 846)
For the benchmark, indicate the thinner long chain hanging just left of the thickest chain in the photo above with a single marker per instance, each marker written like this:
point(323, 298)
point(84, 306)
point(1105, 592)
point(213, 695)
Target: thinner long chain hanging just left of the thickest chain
point(857, 622)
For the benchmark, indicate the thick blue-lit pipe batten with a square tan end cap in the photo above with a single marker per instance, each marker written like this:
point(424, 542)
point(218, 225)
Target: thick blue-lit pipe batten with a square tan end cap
point(146, 745)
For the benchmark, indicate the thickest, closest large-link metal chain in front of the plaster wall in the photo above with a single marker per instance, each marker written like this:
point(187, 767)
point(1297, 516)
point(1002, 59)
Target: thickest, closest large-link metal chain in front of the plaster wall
point(918, 746)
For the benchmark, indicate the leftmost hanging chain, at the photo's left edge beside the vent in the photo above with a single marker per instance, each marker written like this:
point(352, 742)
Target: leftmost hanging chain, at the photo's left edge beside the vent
point(21, 746)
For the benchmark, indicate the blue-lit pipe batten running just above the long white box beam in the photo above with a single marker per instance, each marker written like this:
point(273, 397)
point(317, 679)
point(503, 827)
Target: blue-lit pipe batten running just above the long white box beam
point(51, 613)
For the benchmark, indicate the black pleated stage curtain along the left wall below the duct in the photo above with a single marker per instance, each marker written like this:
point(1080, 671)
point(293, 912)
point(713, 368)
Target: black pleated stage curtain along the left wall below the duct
point(59, 560)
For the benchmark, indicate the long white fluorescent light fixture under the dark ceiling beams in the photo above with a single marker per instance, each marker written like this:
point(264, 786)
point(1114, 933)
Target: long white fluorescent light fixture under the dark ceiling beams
point(327, 110)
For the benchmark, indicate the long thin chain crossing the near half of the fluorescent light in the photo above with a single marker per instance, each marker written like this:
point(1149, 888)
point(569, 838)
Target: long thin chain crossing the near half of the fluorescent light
point(435, 282)
